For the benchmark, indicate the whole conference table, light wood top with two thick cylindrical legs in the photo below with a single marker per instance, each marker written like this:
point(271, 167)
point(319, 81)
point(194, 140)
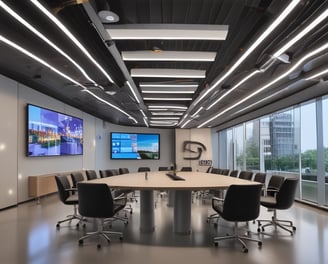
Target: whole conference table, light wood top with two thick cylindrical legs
point(147, 184)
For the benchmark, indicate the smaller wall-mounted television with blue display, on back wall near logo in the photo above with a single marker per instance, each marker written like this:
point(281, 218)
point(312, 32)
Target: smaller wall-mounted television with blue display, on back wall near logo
point(135, 146)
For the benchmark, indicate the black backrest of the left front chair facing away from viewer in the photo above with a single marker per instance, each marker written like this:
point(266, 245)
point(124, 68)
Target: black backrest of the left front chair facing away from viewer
point(95, 200)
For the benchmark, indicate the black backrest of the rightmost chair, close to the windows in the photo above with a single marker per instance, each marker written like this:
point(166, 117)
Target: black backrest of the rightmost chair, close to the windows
point(286, 194)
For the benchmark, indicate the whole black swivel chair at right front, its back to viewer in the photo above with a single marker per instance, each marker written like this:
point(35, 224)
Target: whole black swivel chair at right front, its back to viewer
point(241, 204)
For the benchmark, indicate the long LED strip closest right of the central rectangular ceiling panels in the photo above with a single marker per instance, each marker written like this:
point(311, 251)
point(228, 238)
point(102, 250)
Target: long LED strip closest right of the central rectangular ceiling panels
point(280, 18)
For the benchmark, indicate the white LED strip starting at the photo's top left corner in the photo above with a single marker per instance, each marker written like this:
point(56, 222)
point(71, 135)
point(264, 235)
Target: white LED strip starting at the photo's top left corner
point(41, 36)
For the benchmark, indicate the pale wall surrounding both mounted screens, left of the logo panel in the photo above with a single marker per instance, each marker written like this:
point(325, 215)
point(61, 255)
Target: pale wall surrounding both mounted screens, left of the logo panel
point(16, 167)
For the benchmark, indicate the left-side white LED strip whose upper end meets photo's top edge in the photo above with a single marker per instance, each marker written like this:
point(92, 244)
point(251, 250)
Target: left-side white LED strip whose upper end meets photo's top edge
point(70, 35)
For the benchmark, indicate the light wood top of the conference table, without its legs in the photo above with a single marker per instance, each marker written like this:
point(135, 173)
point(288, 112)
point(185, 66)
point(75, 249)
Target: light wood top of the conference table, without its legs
point(159, 180)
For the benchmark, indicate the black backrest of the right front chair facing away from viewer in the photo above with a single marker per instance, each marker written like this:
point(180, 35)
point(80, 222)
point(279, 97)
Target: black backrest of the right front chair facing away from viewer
point(242, 202)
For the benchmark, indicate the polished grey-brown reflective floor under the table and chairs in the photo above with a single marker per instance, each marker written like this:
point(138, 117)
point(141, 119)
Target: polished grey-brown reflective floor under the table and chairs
point(29, 235)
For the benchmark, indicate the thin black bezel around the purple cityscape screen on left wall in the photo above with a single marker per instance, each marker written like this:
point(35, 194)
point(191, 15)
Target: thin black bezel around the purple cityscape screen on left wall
point(56, 112)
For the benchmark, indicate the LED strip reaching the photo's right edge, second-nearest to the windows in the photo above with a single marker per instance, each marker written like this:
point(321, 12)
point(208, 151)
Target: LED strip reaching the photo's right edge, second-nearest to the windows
point(310, 54)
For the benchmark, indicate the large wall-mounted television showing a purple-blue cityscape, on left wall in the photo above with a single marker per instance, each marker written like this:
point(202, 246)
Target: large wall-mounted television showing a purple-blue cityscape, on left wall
point(51, 133)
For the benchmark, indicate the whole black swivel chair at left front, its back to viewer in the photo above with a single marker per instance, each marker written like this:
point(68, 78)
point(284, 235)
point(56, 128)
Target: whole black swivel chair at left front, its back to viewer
point(96, 201)
